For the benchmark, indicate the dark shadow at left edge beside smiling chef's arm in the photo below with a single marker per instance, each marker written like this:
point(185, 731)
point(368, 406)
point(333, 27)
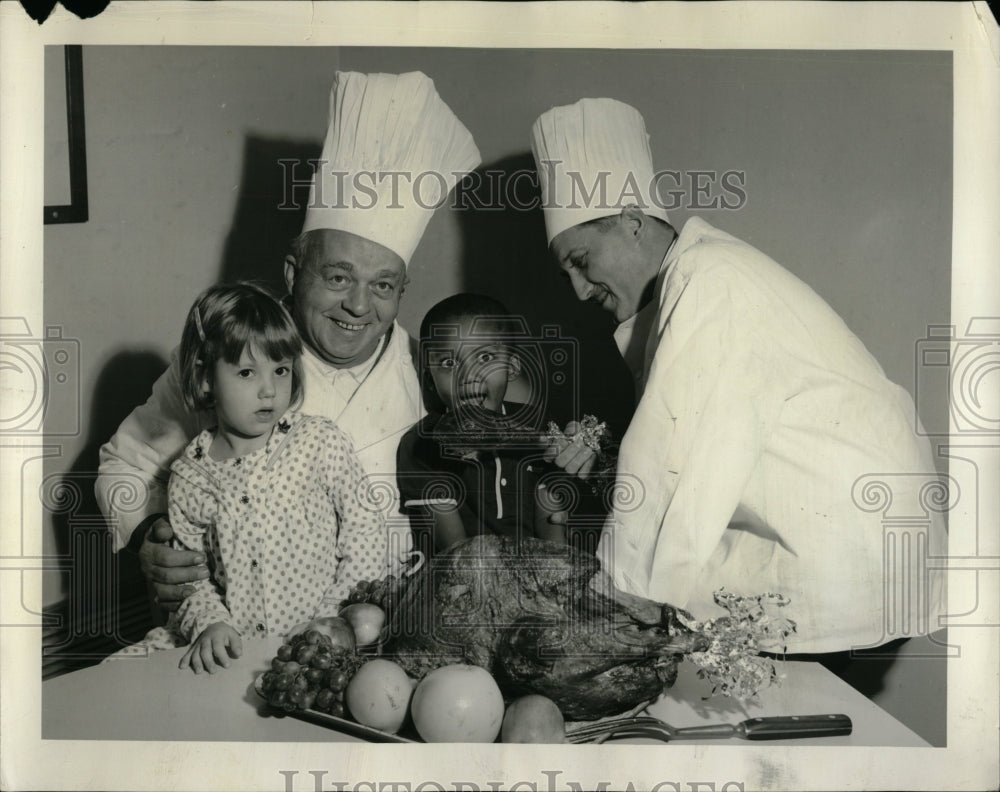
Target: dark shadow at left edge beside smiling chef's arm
point(106, 605)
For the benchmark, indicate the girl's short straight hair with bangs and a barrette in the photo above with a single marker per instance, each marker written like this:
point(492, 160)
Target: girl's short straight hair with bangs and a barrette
point(227, 319)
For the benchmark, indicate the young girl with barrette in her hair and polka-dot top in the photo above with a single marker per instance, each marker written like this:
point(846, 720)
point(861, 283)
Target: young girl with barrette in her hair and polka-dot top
point(275, 499)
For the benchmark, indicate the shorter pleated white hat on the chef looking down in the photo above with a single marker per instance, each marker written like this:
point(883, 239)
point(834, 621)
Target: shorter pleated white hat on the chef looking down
point(593, 159)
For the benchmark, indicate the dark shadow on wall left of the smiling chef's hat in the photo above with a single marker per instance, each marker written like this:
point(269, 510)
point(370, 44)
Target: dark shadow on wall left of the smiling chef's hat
point(273, 195)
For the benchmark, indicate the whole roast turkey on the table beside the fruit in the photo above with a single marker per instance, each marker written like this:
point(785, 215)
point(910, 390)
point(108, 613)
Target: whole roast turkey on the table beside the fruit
point(542, 618)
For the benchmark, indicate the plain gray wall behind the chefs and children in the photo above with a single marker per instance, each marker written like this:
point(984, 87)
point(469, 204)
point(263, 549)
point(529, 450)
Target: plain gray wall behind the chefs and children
point(847, 159)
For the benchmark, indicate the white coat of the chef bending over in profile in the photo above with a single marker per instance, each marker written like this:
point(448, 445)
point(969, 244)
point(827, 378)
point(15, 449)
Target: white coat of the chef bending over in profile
point(759, 412)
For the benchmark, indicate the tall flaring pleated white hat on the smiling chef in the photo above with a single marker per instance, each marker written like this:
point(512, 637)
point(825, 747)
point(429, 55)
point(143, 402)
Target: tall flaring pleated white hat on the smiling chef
point(393, 151)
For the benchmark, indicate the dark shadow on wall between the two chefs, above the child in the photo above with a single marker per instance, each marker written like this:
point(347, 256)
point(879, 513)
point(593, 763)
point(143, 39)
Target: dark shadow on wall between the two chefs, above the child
point(506, 257)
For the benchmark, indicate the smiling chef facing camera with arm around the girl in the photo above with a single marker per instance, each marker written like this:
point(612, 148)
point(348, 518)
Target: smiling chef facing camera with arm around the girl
point(345, 278)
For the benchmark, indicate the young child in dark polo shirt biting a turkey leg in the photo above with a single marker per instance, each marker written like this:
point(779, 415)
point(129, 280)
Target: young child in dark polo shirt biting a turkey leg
point(473, 464)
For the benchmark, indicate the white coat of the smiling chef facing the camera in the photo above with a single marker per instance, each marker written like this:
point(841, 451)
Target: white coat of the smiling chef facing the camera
point(375, 404)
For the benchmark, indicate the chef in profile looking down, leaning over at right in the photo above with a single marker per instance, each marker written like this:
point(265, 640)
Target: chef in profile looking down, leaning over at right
point(758, 408)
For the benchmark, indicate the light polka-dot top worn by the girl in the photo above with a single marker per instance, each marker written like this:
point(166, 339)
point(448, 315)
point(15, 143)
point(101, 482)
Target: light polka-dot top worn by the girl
point(288, 530)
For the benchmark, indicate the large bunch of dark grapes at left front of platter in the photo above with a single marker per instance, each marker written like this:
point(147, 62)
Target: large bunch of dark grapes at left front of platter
point(310, 672)
